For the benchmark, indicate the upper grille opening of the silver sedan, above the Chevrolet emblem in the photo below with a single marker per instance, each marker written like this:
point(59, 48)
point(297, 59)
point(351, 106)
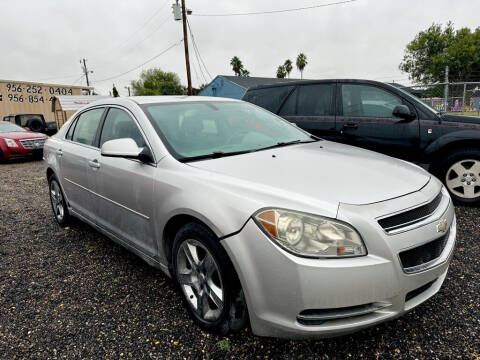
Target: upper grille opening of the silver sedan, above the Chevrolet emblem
point(411, 216)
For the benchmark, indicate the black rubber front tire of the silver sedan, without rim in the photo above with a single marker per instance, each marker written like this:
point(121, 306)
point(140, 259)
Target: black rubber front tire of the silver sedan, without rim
point(234, 315)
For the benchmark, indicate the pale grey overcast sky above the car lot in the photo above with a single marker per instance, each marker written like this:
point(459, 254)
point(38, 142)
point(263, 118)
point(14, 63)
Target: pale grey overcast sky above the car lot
point(44, 40)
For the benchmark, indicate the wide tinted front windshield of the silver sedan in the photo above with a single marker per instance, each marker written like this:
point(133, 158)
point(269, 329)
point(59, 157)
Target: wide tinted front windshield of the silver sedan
point(197, 129)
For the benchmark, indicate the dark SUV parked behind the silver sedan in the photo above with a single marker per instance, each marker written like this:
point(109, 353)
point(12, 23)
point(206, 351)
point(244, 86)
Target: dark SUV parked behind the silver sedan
point(383, 118)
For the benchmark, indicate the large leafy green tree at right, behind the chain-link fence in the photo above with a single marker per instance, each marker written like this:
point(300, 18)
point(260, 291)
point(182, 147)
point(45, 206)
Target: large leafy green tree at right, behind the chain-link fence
point(428, 54)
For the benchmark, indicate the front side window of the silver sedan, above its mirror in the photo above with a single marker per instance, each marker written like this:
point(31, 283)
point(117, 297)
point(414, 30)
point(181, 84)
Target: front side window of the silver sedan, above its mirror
point(118, 125)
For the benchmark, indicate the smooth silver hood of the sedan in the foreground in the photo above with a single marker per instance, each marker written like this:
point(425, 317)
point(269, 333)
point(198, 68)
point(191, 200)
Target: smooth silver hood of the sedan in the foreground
point(323, 171)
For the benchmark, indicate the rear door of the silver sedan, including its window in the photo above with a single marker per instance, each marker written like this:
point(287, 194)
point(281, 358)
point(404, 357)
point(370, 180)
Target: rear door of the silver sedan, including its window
point(75, 154)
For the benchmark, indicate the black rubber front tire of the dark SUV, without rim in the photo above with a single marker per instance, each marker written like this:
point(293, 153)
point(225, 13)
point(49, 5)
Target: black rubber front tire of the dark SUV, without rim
point(440, 170)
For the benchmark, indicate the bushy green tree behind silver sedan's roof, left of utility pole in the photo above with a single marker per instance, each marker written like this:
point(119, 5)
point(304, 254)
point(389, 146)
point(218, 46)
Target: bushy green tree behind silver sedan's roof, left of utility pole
point(157, 82)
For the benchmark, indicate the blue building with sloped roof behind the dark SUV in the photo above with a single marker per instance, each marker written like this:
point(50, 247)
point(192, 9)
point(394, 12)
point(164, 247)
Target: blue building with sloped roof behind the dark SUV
point(235, 86)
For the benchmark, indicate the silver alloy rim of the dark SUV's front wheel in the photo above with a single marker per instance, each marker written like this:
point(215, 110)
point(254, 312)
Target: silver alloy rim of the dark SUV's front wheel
point(463, 178)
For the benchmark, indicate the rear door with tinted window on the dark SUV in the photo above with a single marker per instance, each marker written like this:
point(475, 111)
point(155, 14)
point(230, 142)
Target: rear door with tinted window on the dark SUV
point(312, 108)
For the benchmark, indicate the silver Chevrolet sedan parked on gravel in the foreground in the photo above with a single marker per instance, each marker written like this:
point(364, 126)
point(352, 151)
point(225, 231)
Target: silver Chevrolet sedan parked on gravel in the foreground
point(255, 219)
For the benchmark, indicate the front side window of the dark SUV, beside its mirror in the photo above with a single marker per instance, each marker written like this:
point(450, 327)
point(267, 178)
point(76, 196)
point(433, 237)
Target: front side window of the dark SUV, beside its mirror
point(368, 101)
